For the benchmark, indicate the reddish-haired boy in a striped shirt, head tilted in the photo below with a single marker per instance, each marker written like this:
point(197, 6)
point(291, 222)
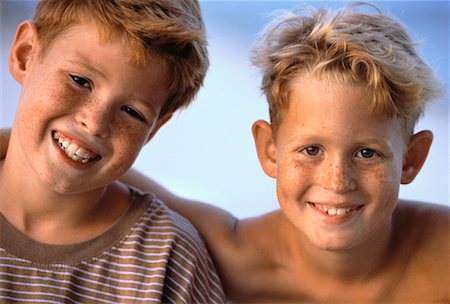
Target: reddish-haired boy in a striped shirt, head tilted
point(99, 78)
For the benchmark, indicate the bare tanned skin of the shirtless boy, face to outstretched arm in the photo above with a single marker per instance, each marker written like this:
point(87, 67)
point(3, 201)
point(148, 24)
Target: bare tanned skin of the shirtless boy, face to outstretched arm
point(341, 235)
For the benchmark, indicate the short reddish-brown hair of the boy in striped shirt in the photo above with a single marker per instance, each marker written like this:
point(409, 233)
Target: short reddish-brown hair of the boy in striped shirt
point(171, 28)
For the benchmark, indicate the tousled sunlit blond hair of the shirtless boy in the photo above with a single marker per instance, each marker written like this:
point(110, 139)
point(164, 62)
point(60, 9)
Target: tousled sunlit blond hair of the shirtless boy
point(373, 50)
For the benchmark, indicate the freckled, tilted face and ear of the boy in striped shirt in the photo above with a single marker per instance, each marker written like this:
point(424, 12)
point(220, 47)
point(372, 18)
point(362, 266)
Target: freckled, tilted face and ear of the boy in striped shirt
point(85, 111)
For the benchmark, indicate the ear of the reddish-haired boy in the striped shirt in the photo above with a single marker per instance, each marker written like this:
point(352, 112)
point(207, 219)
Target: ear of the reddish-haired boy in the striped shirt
point(25, 44)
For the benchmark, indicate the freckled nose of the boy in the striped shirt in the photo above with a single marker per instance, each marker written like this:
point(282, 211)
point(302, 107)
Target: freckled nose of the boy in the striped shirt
point(95, 118)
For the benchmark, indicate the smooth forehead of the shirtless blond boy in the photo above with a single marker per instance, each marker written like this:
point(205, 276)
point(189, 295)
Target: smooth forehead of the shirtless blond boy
point(324, 106)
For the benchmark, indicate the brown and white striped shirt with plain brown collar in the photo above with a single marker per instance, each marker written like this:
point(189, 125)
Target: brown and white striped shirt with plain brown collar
point(151, 255)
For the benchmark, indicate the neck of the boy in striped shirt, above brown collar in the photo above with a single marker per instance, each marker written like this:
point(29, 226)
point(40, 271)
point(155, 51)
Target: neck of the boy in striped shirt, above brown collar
point(40, 212)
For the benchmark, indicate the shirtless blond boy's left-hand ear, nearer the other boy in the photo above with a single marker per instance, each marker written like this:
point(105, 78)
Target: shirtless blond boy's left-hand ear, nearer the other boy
point(265, 147)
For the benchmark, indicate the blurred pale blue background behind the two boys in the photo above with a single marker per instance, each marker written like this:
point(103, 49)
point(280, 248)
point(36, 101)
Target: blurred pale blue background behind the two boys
point(206, 152)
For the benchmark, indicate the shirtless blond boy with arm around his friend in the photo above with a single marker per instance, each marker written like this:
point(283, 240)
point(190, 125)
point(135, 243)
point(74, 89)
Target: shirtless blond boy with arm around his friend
point(345, 90)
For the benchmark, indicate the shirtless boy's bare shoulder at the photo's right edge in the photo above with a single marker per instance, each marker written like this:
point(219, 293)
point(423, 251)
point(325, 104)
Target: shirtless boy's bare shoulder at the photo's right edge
point(426, 229)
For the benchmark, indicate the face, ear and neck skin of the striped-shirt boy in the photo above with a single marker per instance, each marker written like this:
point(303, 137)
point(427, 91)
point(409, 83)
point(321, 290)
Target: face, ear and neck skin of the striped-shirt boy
point(89, 94)
